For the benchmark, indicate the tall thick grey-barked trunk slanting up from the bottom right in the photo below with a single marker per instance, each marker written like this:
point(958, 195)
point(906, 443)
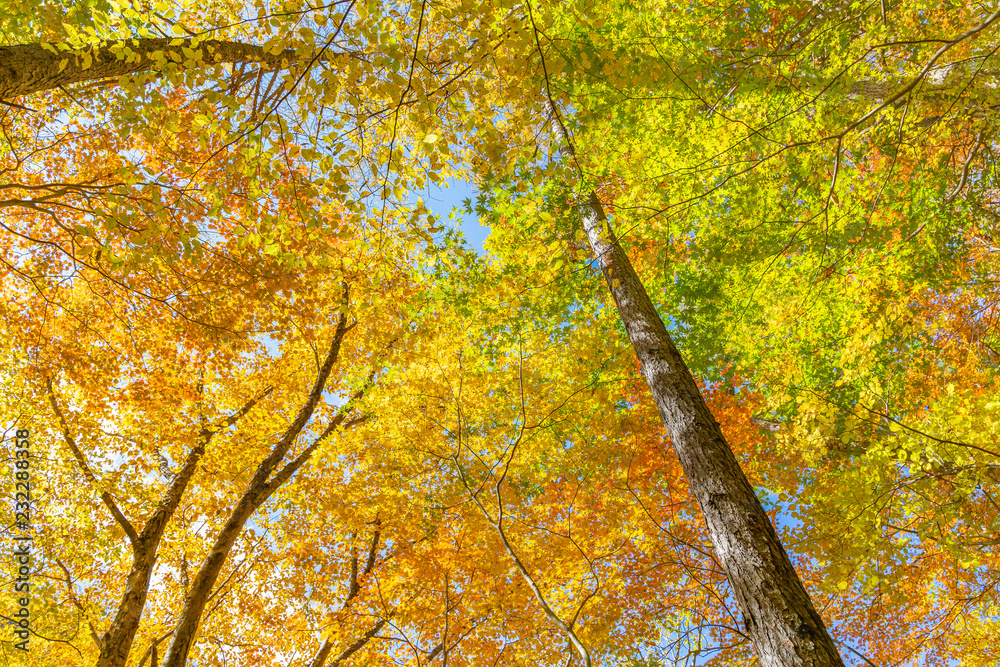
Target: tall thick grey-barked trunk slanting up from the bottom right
point(778, 615)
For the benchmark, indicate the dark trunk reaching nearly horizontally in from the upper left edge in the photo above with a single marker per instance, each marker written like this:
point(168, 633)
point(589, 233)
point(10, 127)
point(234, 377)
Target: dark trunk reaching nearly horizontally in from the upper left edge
point(29, 68)
